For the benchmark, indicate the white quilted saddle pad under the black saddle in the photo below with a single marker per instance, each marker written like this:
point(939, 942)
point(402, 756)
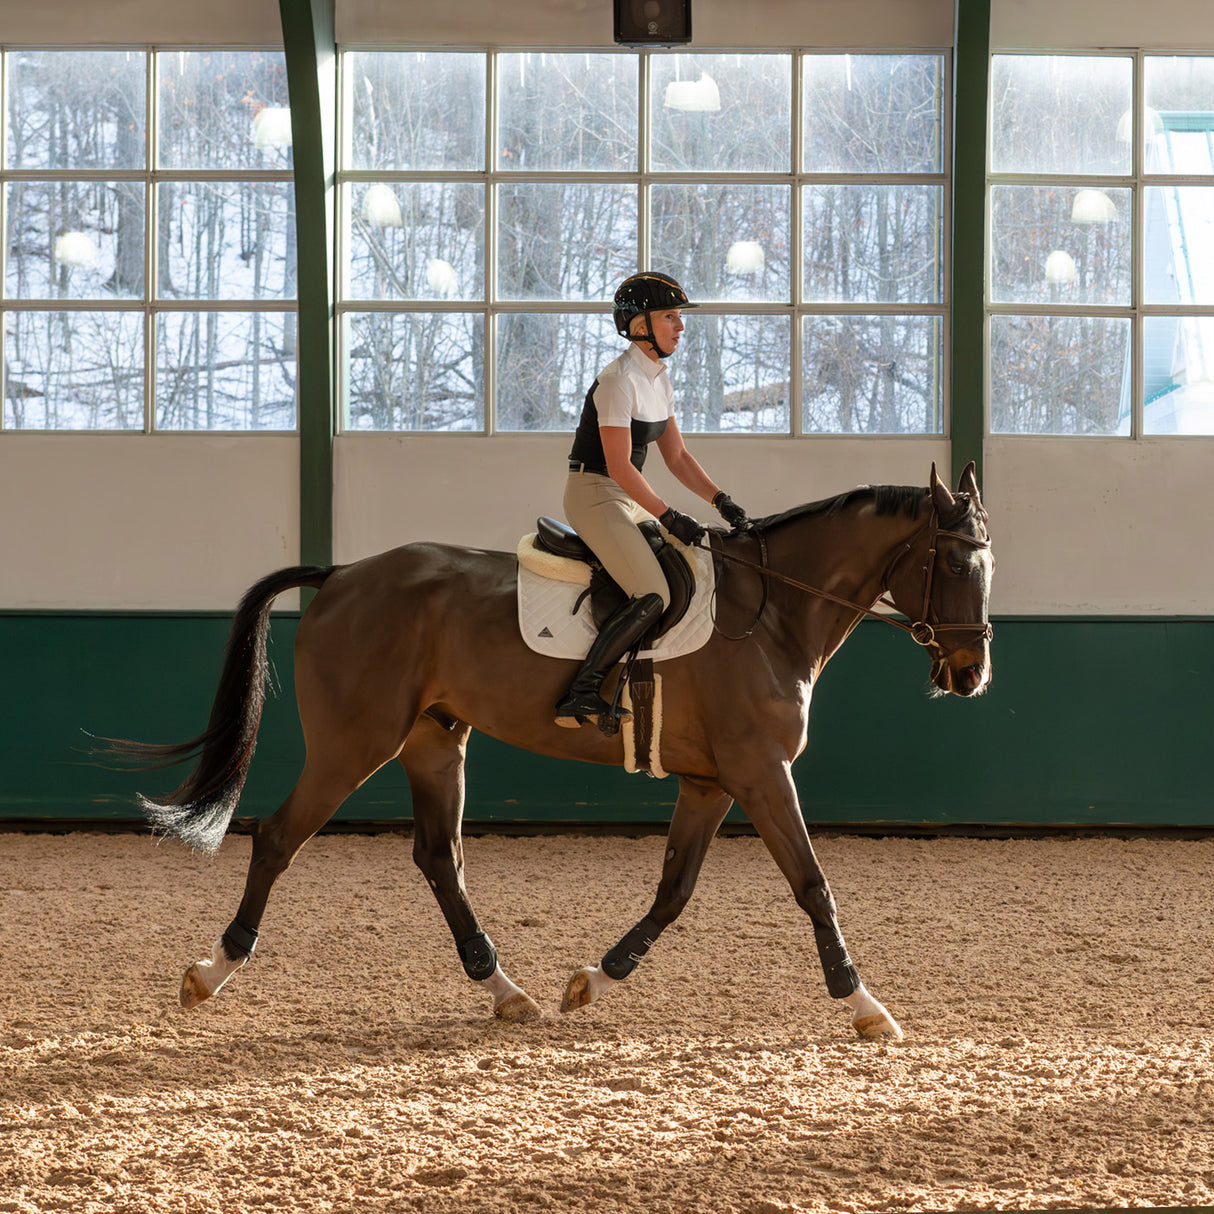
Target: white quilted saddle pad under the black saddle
point(547, 600)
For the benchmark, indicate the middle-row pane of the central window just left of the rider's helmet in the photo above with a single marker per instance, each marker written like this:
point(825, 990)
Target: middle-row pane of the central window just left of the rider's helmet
point(565, 242)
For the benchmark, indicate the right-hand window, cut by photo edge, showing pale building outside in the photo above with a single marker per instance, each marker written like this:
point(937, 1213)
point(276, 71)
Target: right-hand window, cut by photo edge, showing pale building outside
point(1093, 157)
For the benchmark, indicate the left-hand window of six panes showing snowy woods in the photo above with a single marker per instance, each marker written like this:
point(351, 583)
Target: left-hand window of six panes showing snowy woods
point(149, 282)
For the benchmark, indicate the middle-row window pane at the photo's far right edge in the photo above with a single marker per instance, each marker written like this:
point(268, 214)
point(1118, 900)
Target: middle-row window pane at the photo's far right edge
point(1179, 254)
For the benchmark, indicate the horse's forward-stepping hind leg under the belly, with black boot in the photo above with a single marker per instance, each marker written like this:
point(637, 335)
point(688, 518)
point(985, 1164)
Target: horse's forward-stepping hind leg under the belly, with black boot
point(434, 762)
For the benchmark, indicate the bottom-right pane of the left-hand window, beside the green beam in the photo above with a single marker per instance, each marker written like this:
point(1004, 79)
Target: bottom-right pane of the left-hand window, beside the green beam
point(225, 371)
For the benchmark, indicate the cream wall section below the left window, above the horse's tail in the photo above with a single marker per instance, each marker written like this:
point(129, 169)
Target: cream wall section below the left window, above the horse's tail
point(145, 521)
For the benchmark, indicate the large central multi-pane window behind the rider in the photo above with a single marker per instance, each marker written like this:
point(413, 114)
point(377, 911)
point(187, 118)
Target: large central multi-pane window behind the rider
point(492, 203)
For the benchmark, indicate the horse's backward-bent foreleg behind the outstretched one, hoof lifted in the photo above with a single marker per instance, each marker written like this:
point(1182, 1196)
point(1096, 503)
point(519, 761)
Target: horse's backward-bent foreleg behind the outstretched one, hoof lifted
point(699, 813)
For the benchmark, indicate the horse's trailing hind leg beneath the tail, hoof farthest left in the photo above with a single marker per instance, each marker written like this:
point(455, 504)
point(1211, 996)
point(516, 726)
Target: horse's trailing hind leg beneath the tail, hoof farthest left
point(276, 842)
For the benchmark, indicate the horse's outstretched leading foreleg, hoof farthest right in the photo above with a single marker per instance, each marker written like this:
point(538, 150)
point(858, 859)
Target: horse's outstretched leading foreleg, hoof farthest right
point(776, 813)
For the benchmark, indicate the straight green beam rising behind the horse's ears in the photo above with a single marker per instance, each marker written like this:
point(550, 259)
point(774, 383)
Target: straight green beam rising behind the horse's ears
point(972, 63)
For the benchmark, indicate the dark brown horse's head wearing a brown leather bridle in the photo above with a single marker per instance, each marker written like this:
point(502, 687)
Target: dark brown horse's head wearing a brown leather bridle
point(945, 588)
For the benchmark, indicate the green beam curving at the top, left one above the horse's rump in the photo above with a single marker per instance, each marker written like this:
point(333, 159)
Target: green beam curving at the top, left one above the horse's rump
point(310, 46)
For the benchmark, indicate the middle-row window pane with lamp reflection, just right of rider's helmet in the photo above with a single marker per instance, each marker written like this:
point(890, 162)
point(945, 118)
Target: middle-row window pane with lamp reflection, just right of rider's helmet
point(723, 242)
